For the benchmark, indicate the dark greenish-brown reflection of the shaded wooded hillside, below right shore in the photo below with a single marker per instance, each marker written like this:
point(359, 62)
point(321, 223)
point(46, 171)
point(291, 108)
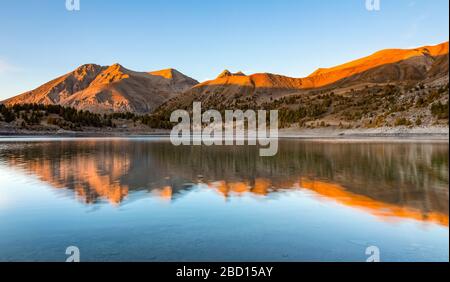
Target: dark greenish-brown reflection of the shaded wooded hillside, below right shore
point(394, 172)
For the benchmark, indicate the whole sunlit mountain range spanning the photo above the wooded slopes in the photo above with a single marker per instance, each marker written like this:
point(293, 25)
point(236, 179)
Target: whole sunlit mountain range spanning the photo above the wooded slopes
point(114, 88)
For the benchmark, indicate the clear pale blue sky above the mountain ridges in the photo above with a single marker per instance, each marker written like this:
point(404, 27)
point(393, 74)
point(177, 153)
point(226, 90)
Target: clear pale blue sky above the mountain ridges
point(41, 40)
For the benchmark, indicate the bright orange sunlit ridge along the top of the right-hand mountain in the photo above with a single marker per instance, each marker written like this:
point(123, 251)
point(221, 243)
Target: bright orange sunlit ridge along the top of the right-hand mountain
point(419, 59)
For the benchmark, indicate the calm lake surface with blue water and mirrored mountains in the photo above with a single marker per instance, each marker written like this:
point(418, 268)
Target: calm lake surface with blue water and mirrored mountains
point(143, 199)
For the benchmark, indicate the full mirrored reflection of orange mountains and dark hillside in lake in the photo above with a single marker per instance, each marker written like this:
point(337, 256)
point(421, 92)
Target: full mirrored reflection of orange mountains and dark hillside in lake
point(388, 180)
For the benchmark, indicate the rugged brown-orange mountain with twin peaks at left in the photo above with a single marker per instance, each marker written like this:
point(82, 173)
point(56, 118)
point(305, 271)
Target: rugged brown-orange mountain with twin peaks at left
point(109, 89)
